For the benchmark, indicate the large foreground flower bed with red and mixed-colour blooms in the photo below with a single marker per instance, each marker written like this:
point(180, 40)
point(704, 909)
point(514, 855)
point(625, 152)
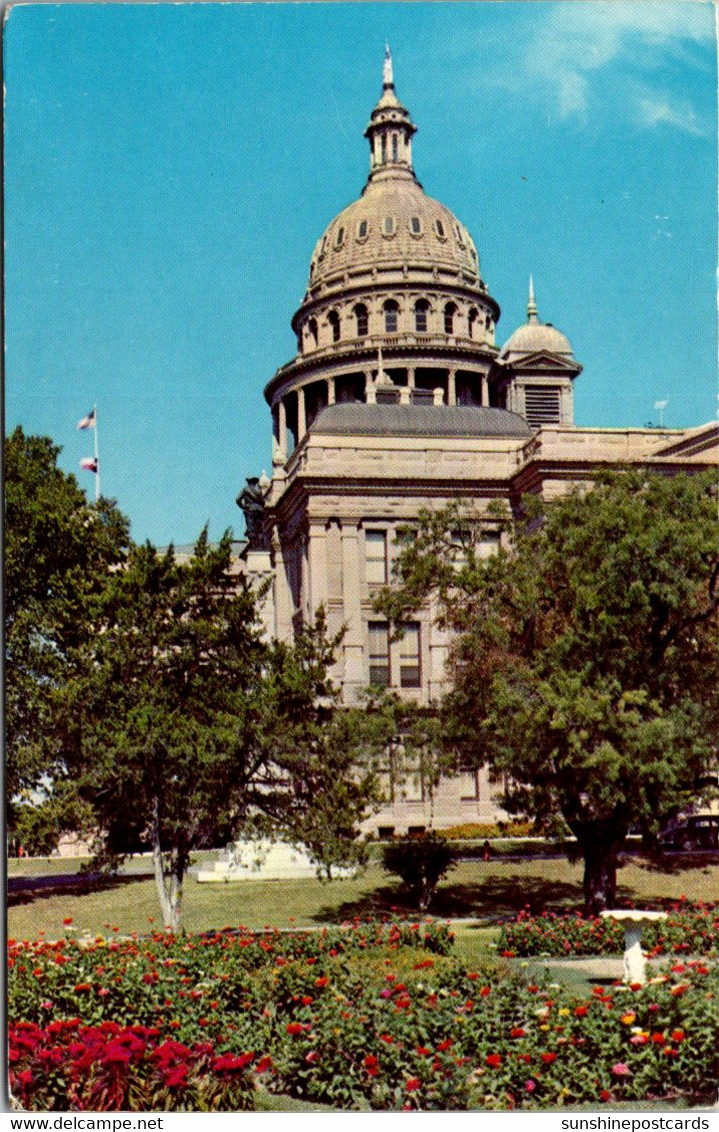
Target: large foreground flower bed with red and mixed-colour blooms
point(375, 1017)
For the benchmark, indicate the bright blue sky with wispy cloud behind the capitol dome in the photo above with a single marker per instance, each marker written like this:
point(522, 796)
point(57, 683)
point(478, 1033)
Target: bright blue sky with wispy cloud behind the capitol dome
point(169, 169)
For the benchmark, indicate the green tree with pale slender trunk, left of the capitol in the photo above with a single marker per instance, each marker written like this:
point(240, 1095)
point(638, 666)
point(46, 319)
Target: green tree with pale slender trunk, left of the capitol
point(186, 726)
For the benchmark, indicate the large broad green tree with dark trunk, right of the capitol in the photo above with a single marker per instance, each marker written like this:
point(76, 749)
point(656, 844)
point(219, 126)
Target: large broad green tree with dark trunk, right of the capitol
point(586, 661)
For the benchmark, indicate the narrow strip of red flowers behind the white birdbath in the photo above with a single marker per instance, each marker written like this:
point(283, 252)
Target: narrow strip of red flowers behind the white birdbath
point(691, 929)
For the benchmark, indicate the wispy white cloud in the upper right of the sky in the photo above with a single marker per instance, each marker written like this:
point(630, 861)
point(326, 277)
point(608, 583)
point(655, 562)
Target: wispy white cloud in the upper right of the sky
point(576, 46)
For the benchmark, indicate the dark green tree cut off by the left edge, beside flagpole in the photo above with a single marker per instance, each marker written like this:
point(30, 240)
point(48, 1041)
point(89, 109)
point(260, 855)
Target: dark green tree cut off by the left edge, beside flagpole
point(58, 553)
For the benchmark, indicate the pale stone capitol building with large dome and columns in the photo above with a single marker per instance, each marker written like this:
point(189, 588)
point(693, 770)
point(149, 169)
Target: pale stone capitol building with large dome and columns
point(401, 397)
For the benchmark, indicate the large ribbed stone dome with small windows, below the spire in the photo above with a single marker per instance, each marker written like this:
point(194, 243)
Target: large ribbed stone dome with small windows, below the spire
point(395, 225)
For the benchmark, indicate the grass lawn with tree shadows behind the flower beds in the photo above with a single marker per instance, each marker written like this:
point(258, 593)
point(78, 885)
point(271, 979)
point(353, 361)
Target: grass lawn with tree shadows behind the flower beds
point(474, 890)
